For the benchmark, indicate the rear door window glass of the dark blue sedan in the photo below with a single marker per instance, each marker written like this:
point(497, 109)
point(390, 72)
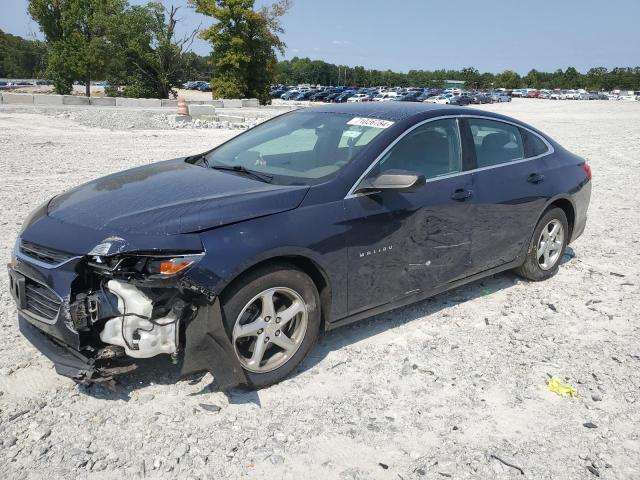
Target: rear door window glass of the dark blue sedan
point(496, 142)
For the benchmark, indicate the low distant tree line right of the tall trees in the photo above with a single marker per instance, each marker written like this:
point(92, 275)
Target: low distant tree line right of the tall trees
point(304, 70)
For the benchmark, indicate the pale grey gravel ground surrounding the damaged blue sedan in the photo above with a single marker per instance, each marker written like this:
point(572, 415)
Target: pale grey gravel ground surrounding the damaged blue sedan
point(441, 389)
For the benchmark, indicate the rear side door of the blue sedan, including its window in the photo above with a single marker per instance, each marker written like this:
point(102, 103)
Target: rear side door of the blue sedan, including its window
point(509, 189)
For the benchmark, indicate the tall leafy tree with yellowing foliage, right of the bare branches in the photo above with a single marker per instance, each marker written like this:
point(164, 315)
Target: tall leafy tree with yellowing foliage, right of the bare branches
point(245, 42)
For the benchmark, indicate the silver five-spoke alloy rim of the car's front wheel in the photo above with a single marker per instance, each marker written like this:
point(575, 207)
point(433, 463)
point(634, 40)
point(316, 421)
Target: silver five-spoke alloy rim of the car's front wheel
point(270, 329)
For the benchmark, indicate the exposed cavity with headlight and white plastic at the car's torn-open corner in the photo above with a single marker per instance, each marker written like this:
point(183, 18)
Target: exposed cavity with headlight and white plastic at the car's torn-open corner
point(134, 302)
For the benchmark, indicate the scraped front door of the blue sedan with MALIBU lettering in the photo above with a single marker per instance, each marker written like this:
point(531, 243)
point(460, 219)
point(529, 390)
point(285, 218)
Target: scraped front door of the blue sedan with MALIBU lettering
point(404, 243)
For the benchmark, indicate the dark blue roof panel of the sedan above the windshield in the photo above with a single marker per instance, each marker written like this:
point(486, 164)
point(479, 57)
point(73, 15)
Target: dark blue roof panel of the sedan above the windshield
point(397, 111)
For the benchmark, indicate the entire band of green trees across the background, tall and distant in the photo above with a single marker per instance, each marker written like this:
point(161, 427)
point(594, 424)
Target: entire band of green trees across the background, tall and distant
point(137, 50)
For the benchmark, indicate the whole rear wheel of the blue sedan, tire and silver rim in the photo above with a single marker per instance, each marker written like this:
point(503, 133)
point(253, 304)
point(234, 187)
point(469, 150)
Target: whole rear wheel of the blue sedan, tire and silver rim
point(540, 266)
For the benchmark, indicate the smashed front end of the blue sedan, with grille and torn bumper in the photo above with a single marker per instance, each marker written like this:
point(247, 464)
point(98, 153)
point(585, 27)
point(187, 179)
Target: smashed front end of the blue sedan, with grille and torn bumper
point(94, 315)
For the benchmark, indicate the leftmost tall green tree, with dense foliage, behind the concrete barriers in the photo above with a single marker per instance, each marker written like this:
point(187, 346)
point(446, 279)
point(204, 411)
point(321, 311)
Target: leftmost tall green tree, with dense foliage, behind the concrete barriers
point(77, 32)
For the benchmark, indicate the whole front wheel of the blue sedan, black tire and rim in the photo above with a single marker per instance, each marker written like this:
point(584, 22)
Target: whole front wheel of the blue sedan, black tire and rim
point(244, 311)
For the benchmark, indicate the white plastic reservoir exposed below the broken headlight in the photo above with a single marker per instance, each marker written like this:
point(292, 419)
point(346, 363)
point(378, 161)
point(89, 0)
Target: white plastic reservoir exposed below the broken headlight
point(149, 339)
